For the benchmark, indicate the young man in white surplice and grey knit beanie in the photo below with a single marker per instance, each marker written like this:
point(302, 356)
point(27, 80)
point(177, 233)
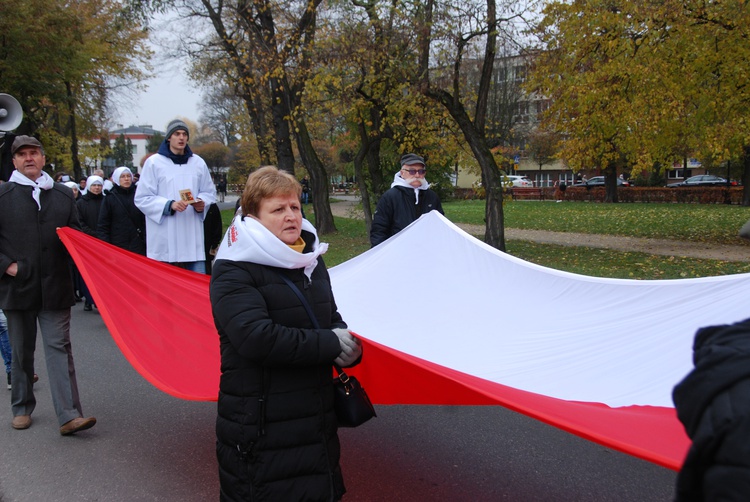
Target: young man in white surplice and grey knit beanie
point(174, 190)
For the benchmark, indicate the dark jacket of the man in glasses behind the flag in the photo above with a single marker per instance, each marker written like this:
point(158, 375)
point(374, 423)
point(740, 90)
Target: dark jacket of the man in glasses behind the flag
point(397, 209)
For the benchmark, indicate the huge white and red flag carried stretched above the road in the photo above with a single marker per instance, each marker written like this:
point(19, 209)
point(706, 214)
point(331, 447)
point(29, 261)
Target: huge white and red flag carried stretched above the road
point(446, 319)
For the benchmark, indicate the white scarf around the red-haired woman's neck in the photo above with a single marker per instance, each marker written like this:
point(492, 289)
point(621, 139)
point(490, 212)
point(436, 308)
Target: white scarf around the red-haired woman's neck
point(247, 239)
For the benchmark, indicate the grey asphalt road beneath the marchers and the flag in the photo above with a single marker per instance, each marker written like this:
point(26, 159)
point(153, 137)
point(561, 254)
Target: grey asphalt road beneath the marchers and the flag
point(148, 446)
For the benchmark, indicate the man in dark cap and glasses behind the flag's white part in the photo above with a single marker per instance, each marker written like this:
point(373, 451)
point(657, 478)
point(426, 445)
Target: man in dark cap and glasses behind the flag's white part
point(408, 198)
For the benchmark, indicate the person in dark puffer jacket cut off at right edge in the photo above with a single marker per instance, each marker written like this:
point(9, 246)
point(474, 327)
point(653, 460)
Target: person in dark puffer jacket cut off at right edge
point(713, 403)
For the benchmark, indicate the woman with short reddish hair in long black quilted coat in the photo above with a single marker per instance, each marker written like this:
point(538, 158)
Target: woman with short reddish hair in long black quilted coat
point(276, 428)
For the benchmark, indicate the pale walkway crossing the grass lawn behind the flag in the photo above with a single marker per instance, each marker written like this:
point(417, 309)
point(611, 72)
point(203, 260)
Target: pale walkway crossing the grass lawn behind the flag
point(346, 206)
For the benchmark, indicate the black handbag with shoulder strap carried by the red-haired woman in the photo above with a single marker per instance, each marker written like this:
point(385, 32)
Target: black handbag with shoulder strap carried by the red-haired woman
point(350, 401)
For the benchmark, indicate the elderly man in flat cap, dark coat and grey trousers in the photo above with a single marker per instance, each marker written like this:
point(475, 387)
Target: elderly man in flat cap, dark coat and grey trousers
point(37, 285)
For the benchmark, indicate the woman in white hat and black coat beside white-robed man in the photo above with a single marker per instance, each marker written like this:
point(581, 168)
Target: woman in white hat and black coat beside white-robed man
point(120, 222)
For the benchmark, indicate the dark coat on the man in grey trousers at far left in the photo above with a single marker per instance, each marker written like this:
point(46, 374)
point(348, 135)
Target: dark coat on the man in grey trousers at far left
point(29, 237)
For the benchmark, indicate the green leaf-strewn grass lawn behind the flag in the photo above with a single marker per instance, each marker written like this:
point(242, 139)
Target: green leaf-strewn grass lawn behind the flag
point(705, 223)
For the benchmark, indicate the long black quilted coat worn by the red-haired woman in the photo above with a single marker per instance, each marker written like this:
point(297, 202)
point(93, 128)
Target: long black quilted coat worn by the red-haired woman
point(276, 428)
